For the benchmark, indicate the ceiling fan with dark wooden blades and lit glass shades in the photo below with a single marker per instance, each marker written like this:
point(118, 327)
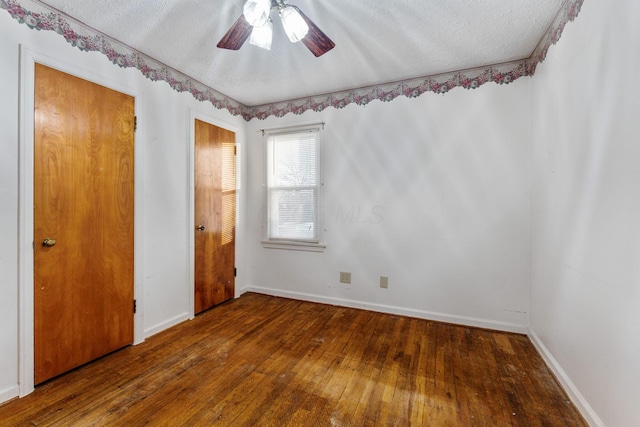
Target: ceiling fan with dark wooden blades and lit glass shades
point(255, 21)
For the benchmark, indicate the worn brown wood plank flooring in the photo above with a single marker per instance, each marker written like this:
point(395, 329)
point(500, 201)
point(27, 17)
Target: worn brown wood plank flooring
point(266, 361)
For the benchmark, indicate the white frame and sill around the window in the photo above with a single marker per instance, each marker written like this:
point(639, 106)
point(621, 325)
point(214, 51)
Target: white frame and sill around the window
point(291, 243)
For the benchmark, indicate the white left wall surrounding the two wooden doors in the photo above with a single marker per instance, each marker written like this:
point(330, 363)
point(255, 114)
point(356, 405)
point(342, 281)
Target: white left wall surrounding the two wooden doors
point(164, 134)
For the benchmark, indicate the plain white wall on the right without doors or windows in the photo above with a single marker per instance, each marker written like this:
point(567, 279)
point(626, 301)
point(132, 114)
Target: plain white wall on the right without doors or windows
point(585, 295)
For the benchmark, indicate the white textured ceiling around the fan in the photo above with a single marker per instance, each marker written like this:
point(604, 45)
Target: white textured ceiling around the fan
point(376, 41)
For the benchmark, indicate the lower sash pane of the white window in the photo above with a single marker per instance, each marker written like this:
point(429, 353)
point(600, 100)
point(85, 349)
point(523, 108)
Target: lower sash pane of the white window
point(293, 214)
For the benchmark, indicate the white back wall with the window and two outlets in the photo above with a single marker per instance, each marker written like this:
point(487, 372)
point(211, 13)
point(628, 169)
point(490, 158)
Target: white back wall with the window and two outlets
point(432, 192)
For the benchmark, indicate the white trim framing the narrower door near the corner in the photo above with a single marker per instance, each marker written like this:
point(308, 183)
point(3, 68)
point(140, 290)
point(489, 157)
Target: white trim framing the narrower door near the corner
point(193, 115)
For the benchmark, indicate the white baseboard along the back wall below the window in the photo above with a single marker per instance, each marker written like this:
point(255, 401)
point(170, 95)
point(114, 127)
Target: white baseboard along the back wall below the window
point(420, 314)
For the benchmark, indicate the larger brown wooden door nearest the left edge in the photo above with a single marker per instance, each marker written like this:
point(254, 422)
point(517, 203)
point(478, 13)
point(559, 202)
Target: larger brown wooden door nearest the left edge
point(83, 199)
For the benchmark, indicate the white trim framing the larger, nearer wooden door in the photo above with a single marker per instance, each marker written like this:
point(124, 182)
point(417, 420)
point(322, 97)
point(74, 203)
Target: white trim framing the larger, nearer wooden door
point(28, 58)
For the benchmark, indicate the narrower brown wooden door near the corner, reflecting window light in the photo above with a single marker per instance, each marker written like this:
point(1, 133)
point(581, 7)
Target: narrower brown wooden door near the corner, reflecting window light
point(215, 215)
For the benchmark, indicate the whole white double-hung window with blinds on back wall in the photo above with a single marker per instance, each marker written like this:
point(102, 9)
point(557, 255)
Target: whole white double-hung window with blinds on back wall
point(294, 188)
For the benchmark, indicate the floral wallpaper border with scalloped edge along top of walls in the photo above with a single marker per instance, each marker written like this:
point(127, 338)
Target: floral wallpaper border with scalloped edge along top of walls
point(40, 17)
